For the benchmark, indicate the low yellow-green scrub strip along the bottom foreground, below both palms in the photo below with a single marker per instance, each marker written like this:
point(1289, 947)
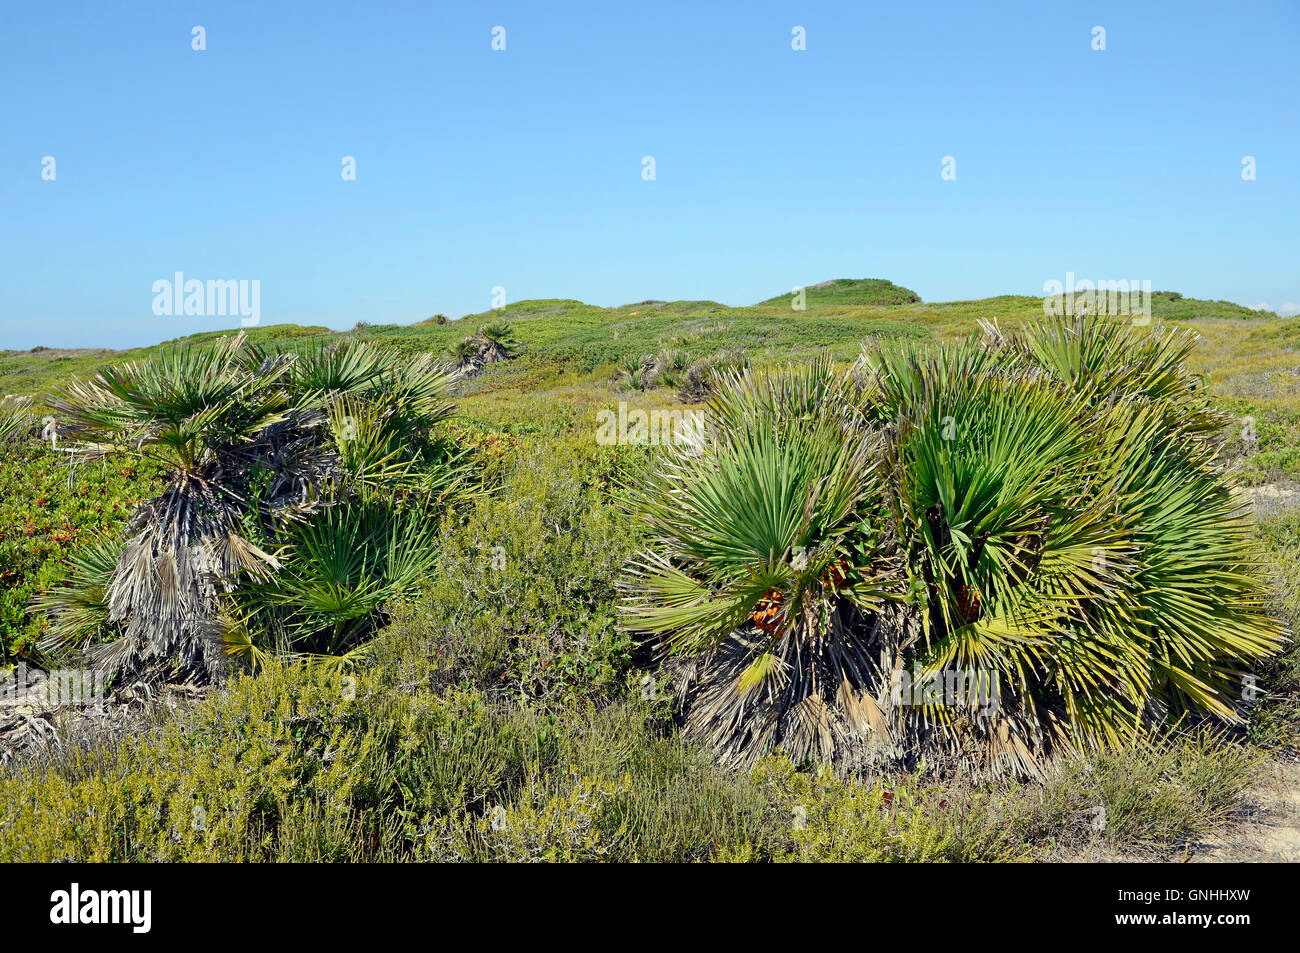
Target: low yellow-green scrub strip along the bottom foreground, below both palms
point(298, 765)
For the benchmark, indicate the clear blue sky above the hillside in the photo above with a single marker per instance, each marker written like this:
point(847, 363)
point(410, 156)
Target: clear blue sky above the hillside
point(523, 170)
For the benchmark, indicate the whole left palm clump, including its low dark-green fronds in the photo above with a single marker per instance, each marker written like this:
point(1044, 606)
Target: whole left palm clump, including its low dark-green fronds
point(285, 522)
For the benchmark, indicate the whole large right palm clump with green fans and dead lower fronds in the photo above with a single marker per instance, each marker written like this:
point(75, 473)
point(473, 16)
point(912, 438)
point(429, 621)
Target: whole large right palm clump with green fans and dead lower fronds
point(1060, 539)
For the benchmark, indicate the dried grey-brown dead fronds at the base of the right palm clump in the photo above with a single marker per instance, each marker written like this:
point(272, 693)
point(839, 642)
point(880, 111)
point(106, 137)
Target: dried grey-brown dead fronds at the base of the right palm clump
point(843, 704)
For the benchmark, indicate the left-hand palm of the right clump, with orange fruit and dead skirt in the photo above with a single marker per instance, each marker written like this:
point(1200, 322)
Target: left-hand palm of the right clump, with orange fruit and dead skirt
point(757, 573)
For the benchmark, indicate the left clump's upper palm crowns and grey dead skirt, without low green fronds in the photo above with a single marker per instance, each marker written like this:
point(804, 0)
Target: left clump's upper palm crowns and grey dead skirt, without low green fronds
point(253, 443)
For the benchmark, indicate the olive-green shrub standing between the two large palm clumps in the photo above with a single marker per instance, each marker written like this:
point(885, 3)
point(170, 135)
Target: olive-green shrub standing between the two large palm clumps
point(522, 599)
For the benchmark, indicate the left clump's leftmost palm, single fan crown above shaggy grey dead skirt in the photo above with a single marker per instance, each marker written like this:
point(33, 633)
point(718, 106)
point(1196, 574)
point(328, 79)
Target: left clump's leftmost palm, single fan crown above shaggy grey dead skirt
point(197, 411)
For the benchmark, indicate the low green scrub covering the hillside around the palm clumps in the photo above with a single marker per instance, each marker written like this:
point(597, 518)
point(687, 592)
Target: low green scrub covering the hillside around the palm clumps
point(492, 703)
